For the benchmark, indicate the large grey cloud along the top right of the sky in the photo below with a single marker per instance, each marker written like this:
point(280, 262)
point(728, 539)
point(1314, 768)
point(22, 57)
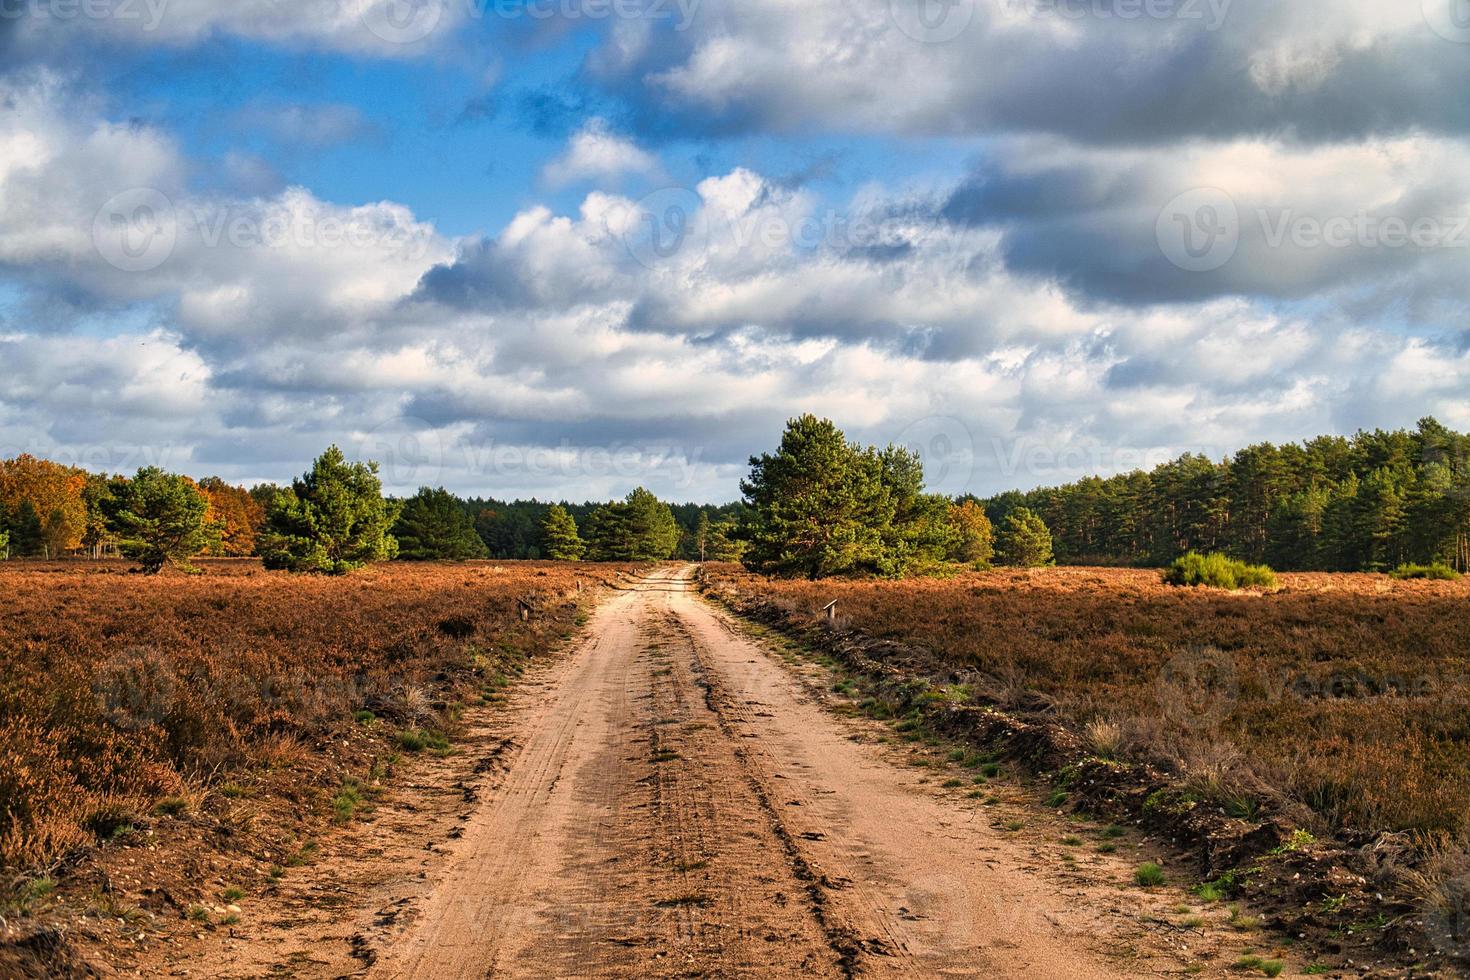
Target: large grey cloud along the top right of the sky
point(1312, 71)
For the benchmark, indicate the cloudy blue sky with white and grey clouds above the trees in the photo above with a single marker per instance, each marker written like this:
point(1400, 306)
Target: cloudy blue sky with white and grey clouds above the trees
point(570, 248)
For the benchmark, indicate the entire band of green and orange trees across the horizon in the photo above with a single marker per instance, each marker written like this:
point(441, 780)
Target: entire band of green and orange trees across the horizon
point(825, 506)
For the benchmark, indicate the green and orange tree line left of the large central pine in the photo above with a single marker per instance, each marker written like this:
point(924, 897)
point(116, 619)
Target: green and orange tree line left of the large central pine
point(333, 519)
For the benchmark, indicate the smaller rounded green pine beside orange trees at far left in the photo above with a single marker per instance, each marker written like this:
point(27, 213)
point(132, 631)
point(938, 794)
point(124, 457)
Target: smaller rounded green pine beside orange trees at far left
point(159, 519)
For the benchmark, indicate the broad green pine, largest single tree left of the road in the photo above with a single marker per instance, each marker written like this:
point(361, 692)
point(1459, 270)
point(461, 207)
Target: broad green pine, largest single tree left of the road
point(334, 519)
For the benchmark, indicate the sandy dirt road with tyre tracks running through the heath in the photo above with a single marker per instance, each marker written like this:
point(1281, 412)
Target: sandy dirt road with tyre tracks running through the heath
point(677, 804)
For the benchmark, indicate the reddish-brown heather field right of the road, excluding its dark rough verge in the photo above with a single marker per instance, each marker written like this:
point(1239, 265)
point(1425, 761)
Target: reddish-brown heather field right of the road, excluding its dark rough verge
point(1347, 693)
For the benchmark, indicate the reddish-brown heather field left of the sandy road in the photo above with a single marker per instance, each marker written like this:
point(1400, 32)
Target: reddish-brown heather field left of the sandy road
point(120, 691)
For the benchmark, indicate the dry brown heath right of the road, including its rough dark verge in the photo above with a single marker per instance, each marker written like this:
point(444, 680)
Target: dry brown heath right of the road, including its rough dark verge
point(1311, 744)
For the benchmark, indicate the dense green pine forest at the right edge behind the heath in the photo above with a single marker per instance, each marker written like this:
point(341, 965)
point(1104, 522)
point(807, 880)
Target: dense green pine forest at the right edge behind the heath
point(1368, 503)
